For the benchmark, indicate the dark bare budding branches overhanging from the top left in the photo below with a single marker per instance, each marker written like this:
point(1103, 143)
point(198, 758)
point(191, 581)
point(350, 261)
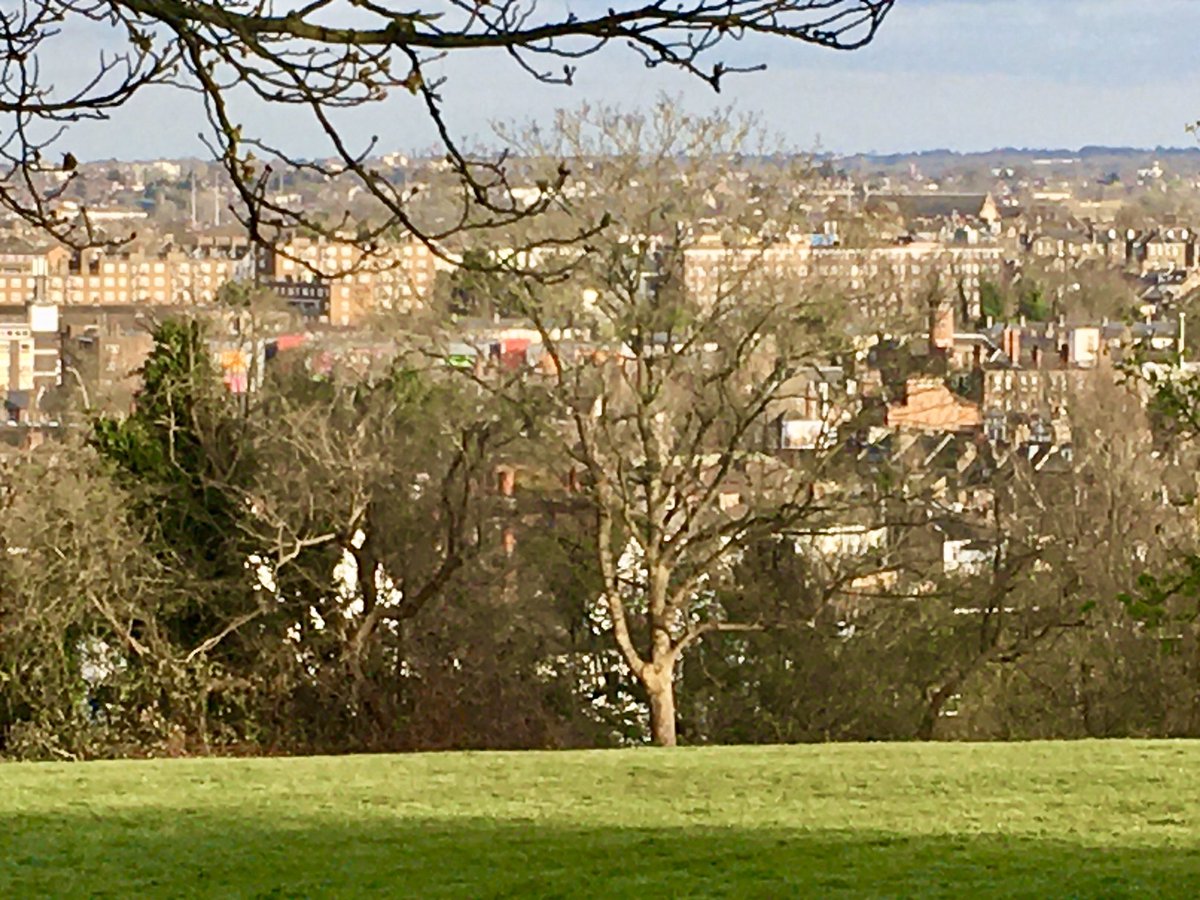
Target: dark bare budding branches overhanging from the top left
point(325, 57)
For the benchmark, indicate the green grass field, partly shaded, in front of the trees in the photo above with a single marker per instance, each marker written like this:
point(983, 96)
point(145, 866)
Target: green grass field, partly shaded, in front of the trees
point(895, 820)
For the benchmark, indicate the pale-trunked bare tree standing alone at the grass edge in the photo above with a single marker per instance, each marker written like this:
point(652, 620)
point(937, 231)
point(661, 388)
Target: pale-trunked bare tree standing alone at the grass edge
point(665, 411)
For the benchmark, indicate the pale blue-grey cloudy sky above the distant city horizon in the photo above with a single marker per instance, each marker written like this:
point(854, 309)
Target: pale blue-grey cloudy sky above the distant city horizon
point(965, 75)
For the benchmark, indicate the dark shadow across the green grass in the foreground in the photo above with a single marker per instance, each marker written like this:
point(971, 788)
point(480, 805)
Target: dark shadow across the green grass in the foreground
point(187, 855)
